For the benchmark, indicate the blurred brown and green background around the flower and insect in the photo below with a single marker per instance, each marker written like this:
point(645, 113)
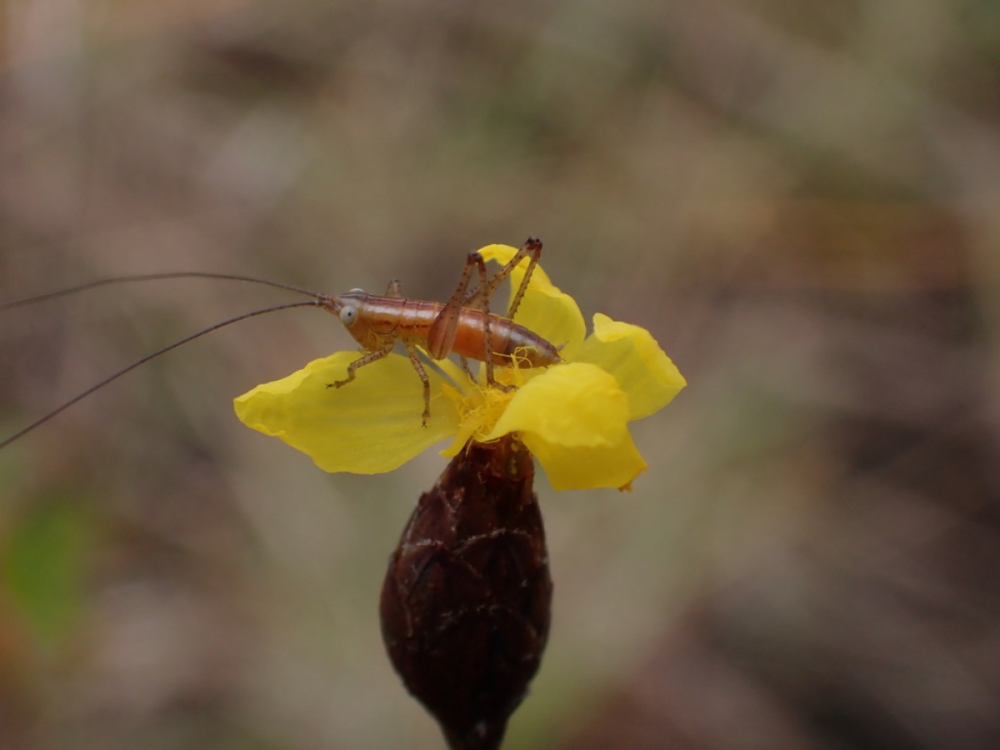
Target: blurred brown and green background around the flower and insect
point(800, 199)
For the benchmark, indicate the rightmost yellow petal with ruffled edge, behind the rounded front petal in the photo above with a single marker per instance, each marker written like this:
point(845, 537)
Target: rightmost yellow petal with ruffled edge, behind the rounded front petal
point(637, 362)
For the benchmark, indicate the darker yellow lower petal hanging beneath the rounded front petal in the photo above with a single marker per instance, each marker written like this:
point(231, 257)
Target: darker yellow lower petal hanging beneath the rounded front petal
point(585, 467)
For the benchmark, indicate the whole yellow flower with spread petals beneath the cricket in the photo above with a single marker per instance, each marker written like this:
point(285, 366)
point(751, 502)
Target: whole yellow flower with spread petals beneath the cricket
point(573, 416)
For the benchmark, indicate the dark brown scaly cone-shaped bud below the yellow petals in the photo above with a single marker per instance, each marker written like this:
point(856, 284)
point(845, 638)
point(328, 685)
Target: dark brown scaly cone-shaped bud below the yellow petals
point(466, 600)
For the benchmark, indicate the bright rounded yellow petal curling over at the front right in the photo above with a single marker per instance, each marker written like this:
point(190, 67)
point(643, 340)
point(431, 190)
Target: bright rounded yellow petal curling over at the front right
point(572, 405)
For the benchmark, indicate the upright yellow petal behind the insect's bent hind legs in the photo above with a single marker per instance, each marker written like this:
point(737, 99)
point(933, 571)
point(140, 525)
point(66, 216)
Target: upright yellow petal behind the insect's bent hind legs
point(544, 309)
